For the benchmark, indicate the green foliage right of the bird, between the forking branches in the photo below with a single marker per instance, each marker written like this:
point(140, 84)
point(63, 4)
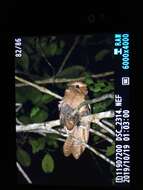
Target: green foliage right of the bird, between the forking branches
point(98, 88)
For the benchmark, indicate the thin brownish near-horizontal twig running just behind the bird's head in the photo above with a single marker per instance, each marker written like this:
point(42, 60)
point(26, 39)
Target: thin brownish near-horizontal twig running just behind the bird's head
point(66, 80)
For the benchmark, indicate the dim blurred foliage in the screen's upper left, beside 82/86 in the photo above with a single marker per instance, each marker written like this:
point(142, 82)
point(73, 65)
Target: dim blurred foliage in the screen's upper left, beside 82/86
point(37, 52)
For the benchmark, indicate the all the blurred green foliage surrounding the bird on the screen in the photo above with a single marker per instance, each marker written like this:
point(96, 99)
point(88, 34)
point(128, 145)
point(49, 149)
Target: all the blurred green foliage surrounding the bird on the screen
point(40, 57)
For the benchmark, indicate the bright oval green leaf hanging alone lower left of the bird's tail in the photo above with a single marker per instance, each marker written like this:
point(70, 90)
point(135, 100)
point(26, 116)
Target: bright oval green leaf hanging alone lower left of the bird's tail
point(48, 163)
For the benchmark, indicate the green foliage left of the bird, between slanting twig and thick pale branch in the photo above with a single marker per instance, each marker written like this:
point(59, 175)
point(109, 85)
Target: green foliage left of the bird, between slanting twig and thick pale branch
point(34, 110)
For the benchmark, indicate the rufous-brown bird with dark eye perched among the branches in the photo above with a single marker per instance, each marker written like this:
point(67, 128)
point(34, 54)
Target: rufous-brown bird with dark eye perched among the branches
point(78, 130)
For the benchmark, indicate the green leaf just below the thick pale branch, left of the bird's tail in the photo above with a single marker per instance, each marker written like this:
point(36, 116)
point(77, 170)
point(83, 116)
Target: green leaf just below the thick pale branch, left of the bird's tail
point(37, 144)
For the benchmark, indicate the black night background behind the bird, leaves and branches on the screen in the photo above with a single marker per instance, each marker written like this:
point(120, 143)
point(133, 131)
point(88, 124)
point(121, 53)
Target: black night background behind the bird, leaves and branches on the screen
point(89, 170)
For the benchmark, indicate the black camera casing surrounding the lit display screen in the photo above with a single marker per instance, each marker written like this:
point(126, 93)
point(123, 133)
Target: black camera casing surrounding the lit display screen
point(128, 17)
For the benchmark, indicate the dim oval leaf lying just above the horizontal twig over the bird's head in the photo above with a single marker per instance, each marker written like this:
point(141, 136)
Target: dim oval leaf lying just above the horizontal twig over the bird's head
point(72, 72)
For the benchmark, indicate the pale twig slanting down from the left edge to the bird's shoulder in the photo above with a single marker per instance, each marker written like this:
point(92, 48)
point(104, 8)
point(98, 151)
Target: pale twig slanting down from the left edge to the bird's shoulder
point(40, 88)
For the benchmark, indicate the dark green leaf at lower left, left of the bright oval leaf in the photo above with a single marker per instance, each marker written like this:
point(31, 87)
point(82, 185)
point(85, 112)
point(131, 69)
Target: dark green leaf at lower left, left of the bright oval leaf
point(23, 157)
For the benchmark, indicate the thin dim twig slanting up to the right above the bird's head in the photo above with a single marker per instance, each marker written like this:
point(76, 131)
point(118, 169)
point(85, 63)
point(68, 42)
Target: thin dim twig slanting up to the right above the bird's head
point(68, 54)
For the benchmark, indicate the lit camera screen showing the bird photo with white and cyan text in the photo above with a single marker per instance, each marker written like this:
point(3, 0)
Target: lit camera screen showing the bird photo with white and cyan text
point(72, 109)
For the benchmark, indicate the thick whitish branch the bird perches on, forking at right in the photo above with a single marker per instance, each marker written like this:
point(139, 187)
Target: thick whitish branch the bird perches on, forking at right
point(47, 127)
